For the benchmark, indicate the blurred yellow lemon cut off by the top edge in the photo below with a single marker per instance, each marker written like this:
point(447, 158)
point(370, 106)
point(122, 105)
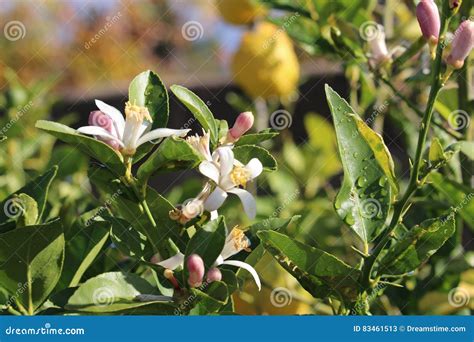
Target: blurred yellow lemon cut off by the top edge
point(240, 12)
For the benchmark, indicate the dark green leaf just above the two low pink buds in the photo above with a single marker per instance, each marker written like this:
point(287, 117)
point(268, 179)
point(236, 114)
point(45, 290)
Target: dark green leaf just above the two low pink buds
point(207, 242)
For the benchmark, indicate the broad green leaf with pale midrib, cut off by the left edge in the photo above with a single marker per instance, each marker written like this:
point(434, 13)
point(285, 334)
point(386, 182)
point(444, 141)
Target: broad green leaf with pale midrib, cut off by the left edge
point(31, 260)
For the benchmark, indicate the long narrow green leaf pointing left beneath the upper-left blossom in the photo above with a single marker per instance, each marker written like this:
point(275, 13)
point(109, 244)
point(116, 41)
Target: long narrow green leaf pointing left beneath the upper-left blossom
point(90, 146)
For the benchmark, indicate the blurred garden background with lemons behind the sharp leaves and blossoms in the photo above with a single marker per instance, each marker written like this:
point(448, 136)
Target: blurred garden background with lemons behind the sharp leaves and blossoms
point(56, 57)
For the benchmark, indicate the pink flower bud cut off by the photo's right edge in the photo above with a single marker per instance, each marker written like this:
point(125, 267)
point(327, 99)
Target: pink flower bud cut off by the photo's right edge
point(462, 44)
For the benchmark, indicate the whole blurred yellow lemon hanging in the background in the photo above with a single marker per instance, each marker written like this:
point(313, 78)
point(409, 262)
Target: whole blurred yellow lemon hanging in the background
point(265, 64)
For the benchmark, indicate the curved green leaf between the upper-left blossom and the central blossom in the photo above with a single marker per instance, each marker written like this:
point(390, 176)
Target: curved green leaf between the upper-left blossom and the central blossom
point(173, 154)
